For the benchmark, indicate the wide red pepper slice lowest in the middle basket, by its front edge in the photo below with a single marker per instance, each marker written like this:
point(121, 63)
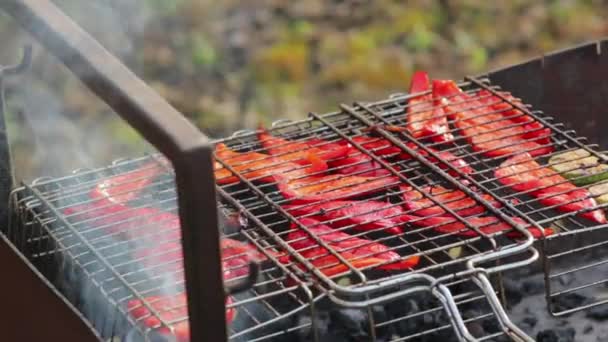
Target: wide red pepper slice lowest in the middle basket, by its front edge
point(359, 252)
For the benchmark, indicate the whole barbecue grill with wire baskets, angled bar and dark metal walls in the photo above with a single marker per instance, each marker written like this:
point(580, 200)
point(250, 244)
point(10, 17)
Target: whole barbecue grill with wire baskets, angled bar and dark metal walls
point(112, 269)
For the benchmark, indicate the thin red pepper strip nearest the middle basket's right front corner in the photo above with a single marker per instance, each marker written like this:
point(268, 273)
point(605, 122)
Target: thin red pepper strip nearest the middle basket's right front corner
point(487, 225)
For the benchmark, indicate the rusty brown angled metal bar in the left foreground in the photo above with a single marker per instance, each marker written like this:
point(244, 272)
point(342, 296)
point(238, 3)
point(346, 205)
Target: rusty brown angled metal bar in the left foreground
point(166, 129)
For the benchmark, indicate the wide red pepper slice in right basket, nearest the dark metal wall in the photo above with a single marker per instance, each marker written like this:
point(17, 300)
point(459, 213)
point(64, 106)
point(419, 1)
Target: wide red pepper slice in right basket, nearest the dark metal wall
point(492, 133)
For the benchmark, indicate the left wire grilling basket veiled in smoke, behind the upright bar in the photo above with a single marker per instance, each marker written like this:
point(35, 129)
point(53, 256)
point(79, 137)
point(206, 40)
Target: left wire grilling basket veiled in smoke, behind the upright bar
point(122, 264)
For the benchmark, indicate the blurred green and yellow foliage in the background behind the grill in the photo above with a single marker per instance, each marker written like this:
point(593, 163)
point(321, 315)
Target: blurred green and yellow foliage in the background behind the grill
point(232, 64)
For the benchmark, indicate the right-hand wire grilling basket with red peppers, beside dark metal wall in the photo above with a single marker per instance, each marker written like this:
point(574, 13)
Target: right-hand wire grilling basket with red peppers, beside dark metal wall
point(574, 259)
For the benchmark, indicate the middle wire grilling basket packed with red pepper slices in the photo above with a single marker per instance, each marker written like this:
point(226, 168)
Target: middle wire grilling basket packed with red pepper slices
point(407, 217)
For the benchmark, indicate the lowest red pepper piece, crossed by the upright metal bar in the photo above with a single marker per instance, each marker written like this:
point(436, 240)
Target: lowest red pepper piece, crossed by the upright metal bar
point(170, 308)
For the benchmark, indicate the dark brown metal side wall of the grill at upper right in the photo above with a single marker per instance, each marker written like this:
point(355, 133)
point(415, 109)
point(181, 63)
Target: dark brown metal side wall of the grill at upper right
point(569, 84)
